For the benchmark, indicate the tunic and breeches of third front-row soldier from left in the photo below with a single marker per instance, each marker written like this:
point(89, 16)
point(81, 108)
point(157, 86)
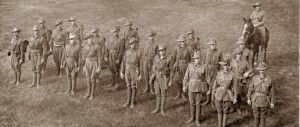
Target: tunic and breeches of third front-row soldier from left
point(72, 59)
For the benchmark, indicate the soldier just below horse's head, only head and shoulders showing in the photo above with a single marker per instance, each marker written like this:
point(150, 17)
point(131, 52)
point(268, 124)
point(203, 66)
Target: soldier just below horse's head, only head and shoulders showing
point(245, 51)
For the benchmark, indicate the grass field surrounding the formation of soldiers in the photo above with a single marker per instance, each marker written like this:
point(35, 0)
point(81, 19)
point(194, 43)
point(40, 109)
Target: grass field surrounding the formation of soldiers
point(222, 19)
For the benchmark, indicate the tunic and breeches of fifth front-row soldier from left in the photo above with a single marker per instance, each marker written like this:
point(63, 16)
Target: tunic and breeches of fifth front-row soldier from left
point(131, 67)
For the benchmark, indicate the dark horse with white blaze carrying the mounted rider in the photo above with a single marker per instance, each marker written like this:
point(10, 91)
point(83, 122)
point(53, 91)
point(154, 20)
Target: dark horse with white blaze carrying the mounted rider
point(254, 41)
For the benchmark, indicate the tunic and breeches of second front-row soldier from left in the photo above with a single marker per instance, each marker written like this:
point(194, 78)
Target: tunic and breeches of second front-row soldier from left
point(37, 49)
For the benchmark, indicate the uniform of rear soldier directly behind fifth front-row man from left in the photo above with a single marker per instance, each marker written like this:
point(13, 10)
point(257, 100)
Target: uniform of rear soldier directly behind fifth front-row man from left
point(131, 33)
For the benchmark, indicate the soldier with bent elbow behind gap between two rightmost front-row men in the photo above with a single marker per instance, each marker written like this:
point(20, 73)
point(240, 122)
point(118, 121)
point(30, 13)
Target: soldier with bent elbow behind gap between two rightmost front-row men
point(241, 69)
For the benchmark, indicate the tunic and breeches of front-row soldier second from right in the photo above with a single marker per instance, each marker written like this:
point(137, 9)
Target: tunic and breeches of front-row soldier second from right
point(223, 91)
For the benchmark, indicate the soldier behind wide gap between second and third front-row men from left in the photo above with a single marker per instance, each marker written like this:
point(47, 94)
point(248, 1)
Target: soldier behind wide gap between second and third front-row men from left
point(57, 45)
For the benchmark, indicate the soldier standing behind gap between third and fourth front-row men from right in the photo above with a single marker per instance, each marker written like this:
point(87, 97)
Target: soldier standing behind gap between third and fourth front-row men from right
point(181, 59)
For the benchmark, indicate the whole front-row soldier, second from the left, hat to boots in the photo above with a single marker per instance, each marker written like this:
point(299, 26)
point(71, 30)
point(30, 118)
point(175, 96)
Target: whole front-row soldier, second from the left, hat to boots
point(37, 53)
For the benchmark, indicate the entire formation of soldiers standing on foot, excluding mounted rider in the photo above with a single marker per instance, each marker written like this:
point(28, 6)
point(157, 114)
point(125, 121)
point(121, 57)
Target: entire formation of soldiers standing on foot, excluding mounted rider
point(206, 76)
